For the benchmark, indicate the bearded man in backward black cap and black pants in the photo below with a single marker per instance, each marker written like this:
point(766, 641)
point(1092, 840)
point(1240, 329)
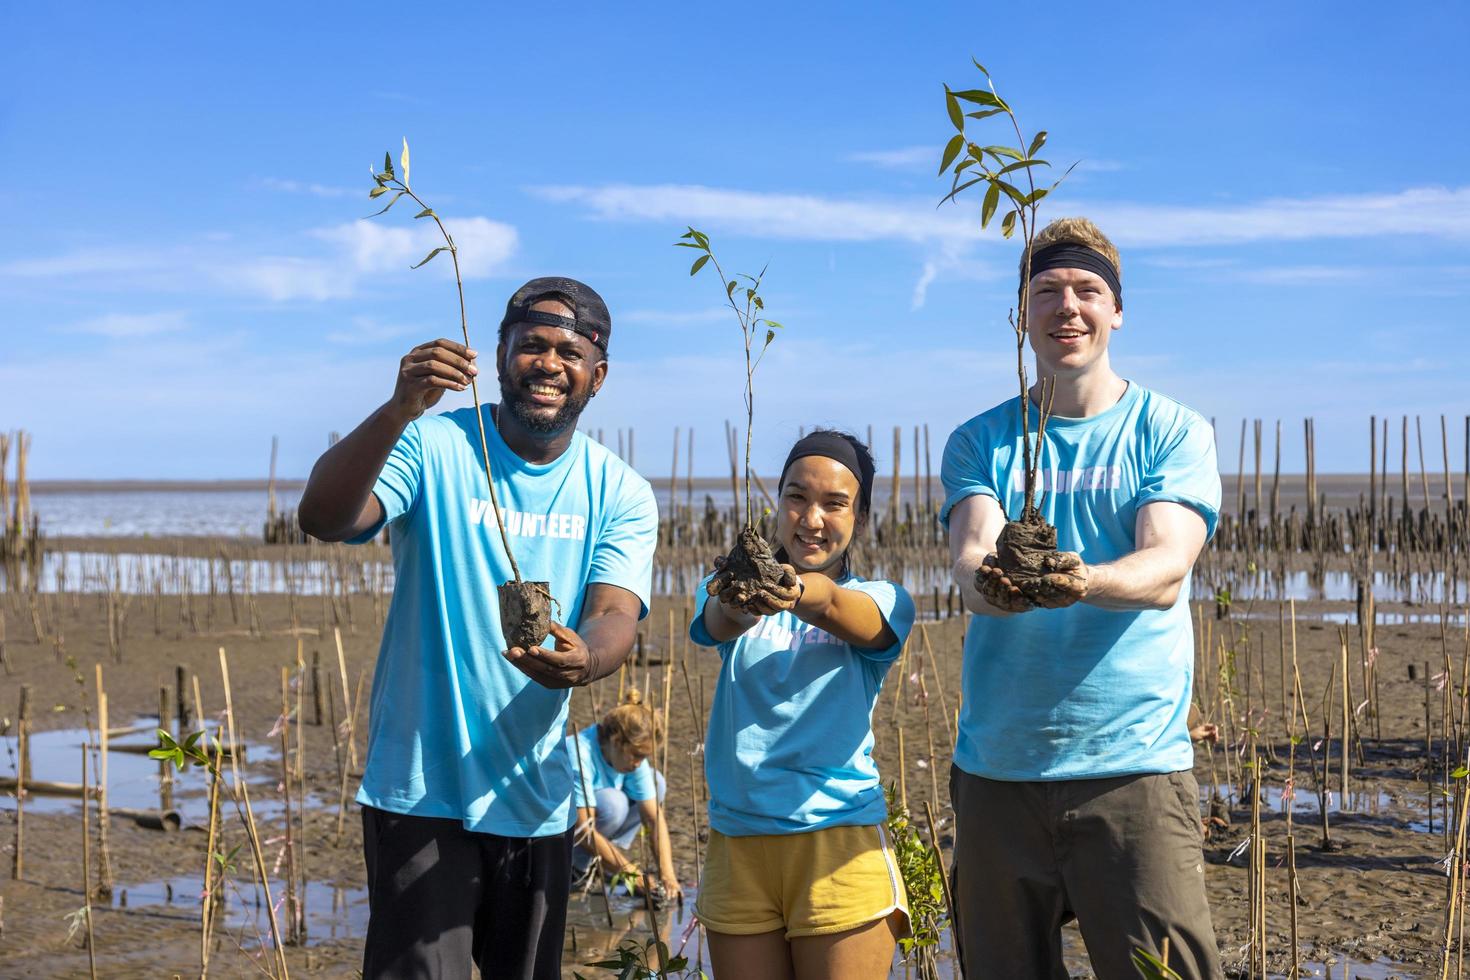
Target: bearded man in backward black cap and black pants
point(467, 790)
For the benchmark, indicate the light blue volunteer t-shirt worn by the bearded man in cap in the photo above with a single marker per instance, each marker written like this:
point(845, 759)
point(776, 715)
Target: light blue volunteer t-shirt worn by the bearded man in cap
point(456, 731)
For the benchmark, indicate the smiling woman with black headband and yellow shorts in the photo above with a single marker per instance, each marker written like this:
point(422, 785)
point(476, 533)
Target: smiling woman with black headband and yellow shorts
point(800, 881)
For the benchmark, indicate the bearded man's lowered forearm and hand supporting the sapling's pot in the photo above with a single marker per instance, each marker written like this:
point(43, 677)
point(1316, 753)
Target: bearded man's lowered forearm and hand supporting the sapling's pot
point(599, 647)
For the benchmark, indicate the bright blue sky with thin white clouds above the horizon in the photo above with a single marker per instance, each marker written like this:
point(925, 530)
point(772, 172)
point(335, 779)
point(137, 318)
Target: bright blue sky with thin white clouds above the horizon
point(184, 270)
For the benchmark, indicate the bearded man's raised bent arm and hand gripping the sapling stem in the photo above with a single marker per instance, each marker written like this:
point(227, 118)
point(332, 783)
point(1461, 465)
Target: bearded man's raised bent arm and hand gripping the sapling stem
point(339, 503)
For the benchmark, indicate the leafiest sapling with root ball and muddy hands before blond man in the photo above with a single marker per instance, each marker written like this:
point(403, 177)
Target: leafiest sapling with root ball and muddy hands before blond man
point(1027, 569)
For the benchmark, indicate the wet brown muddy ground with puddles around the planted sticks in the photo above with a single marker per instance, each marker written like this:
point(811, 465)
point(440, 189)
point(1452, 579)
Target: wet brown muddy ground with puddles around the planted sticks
point(1378, 898)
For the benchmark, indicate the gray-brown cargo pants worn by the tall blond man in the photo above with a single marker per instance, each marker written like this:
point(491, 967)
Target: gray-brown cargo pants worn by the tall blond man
point(1121, 856)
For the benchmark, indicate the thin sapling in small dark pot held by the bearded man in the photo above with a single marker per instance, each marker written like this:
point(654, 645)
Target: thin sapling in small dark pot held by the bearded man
point(526, 608)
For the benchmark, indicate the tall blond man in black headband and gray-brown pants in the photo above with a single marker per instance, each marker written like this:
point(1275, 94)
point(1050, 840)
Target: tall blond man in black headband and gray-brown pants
point(1072, 782)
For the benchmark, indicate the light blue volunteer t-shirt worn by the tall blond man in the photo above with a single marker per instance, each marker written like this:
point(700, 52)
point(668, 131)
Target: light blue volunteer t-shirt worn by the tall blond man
point(1084, 693)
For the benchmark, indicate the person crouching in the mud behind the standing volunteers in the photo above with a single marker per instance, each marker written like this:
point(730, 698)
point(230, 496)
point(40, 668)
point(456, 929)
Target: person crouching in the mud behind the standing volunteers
point(617, 793)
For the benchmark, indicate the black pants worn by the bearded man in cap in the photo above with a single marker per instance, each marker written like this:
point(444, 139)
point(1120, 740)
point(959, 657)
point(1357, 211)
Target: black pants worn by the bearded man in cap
point(442, 897)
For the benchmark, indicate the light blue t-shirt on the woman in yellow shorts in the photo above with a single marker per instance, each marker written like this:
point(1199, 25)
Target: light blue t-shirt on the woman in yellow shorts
point(790, 746)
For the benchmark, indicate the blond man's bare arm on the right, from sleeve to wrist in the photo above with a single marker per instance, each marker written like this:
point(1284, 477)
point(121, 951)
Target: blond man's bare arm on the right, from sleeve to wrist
point(1168, 538)
